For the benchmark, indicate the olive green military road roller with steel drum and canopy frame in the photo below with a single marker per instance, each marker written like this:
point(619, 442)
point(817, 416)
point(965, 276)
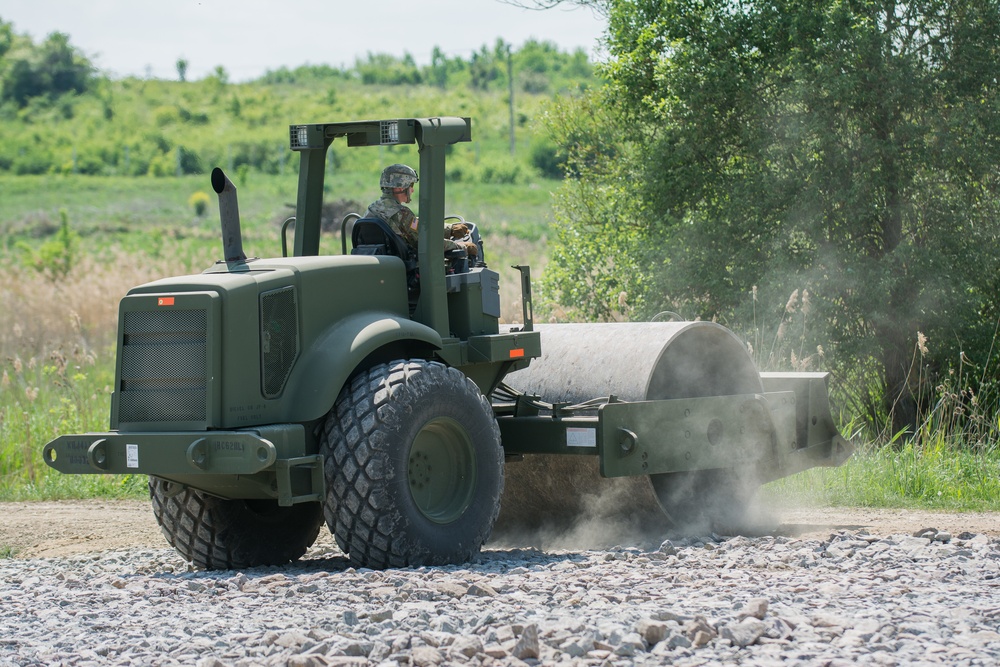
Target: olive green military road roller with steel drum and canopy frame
point(378, 393)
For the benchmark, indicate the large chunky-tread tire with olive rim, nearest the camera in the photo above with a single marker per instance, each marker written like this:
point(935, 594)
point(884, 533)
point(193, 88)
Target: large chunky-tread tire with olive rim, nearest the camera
point(413, 465)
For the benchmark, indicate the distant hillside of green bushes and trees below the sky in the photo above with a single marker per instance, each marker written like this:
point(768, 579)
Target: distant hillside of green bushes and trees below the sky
point(60, 115)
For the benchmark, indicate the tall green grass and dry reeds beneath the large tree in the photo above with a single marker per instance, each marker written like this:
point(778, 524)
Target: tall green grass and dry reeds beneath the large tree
point(951, 460)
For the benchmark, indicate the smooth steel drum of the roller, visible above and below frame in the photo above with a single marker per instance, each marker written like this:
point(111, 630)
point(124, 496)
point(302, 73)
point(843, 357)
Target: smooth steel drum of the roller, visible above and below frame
point(634, 362)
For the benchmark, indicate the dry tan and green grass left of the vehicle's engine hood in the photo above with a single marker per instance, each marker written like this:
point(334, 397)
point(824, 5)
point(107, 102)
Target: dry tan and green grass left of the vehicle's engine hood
point(57, 340)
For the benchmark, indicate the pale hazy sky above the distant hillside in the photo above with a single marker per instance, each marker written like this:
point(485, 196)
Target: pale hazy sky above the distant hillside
point(249, 37)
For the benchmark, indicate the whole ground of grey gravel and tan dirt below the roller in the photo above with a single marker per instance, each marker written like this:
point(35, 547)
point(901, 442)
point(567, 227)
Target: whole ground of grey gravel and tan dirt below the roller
point(94, 584)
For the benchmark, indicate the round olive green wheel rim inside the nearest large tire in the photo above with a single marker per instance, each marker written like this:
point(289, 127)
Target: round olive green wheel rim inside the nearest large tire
point(442, 470)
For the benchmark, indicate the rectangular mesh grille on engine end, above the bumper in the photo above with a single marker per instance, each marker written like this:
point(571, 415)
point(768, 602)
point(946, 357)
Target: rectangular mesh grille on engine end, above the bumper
point(163, 366)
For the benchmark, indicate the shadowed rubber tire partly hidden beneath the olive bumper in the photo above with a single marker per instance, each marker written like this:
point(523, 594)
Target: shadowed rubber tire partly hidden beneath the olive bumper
point(217, 534)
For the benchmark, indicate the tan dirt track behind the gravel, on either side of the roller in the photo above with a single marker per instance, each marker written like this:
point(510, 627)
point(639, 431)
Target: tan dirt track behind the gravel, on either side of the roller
point(57, 529)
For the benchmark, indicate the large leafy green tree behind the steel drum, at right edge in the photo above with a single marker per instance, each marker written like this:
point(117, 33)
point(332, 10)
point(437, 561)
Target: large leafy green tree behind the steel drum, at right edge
point(840, 149)
